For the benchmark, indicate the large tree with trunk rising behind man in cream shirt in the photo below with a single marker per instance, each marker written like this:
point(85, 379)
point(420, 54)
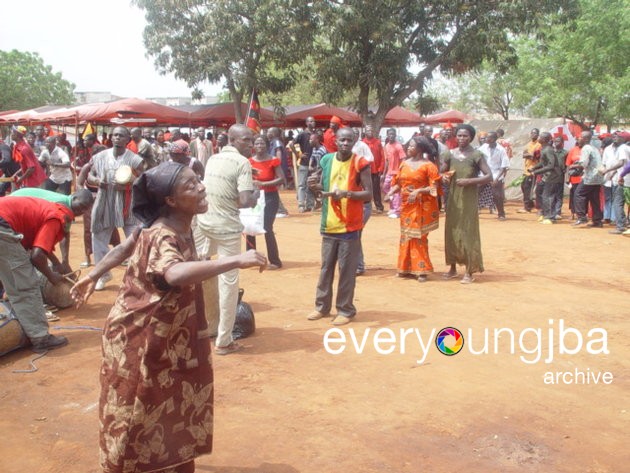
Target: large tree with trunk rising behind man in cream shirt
point(245, 43)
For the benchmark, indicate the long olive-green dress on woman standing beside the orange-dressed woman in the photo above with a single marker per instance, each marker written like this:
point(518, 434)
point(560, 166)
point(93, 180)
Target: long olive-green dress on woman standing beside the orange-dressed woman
point(461, 233)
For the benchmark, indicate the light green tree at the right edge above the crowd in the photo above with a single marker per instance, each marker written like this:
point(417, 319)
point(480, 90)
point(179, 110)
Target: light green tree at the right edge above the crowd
point(580, 69)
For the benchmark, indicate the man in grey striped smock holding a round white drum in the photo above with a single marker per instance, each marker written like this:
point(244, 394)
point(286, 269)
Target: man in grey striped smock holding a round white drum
point(113, 172)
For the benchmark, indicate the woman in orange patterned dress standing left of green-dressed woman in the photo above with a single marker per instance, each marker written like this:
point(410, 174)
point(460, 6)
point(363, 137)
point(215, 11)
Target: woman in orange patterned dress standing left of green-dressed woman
point(417, 183)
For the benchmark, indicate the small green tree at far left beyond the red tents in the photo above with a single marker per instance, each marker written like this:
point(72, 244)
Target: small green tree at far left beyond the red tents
point(29, 83)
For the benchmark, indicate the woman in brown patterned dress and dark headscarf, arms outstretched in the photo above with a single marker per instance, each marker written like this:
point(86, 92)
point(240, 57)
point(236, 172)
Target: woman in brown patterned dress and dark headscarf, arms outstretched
point(156, 404)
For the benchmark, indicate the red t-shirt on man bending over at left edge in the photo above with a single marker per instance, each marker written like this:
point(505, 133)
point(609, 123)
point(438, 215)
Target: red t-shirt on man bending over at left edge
point(42, 223)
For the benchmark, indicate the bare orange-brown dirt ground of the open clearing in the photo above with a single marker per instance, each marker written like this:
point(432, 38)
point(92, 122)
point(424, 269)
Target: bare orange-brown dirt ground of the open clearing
point(286, 405)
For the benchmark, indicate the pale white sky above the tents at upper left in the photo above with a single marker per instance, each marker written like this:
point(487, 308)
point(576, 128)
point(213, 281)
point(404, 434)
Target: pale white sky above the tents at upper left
point(95, 45)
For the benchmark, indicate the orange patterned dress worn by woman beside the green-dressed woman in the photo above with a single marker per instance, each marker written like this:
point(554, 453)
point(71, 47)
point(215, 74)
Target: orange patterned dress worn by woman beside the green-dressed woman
point(416, 219)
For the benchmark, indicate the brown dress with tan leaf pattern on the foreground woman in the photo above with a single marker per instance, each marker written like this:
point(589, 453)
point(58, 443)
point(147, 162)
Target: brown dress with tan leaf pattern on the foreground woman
point(156, 403)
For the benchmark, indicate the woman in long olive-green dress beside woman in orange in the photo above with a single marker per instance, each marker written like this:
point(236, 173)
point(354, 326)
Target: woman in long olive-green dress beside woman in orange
point(468, 170)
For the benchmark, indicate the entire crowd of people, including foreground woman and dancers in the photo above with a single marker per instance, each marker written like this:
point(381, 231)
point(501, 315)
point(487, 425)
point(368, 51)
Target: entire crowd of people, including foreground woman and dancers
point(177, 200)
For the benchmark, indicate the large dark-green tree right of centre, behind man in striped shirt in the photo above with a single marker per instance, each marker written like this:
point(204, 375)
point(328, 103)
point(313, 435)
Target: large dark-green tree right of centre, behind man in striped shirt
point(392, 47)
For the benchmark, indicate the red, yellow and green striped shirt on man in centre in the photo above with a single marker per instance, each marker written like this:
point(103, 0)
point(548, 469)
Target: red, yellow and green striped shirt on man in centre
point(344, 215)
